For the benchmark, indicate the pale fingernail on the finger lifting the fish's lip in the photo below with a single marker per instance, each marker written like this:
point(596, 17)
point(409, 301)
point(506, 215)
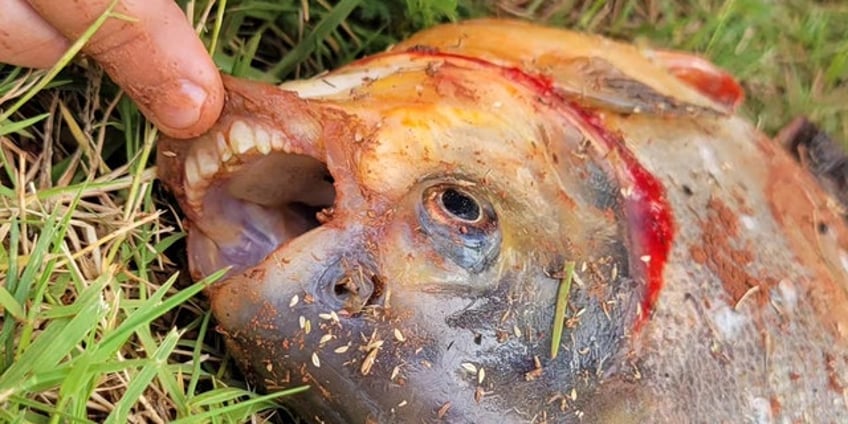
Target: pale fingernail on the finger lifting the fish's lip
point(180, 108)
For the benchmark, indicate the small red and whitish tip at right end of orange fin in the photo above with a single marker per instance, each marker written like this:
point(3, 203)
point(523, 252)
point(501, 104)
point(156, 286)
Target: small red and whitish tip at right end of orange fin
point(704, 76)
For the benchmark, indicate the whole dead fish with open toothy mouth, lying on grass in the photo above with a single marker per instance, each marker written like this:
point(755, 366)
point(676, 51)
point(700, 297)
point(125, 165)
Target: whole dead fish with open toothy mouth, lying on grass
point(496, 221)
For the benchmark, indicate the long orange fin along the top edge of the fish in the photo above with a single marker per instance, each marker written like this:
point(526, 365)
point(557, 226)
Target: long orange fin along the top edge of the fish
point(592, 70)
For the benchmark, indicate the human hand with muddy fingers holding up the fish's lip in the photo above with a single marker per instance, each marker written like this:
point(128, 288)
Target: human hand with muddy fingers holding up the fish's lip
point(156, 58)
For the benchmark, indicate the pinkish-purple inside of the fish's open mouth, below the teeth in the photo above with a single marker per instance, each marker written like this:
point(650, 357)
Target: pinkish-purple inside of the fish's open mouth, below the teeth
point(250, 213)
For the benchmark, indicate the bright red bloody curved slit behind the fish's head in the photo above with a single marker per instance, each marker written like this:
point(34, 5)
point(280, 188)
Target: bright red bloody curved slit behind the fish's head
point(648, 212)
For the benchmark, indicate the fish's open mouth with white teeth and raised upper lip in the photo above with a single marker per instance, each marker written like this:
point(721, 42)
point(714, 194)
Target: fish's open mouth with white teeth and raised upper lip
point(251, 184)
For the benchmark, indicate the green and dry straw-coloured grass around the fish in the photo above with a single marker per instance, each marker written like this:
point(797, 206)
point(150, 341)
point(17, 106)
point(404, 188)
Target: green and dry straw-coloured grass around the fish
point(99, 322)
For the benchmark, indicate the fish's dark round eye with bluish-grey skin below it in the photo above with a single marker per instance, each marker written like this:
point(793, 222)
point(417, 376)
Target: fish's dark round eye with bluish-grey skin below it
point(461, 224)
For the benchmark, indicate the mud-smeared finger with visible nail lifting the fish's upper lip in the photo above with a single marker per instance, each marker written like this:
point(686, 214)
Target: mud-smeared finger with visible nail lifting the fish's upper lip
point(154, 55)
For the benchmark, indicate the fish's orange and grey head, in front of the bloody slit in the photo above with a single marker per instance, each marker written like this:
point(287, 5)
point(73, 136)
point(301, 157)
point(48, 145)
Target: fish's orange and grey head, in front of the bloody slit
point(400, 245)
